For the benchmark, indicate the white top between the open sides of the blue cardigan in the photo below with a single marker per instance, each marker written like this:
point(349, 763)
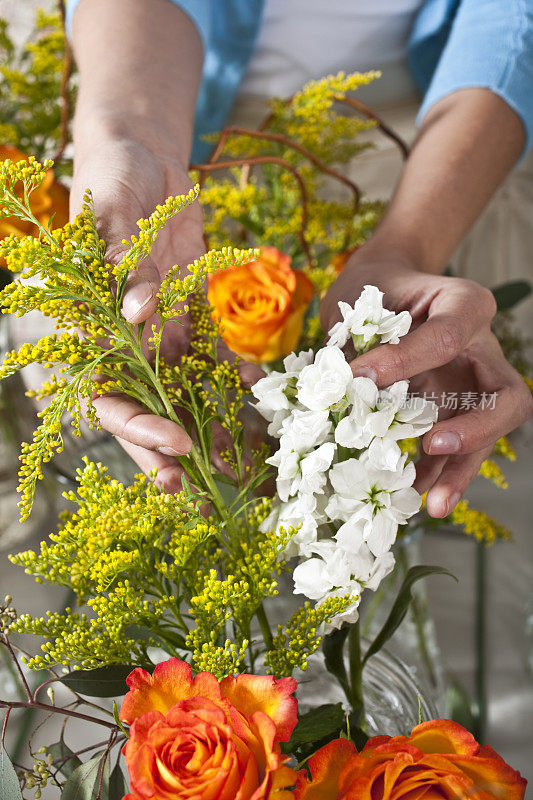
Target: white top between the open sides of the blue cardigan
point(304, 39)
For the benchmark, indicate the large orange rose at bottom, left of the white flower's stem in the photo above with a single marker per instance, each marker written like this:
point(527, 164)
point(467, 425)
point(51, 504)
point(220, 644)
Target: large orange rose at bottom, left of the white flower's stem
point(202, 739)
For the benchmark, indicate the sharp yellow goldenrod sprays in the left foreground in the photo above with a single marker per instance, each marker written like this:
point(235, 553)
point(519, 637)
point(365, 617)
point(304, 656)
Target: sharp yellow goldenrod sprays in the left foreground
point(147, 569)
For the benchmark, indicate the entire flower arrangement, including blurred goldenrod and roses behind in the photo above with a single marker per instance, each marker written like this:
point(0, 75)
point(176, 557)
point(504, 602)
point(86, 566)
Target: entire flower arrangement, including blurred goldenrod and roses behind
point(174, 593)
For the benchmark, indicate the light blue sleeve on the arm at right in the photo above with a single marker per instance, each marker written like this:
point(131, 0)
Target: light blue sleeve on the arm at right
point(490, 45)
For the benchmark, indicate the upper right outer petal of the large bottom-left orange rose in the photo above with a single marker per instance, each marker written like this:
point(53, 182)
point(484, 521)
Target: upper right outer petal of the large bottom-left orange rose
point(274, 697)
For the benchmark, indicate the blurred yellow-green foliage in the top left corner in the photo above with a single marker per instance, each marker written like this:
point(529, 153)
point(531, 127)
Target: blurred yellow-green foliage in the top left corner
point(30, 87)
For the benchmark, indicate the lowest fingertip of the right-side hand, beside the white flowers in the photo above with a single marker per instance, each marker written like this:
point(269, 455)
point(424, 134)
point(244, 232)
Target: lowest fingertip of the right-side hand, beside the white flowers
point(453, 481)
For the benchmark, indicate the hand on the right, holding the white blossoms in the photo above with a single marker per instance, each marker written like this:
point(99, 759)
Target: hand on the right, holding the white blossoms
point(450, 349)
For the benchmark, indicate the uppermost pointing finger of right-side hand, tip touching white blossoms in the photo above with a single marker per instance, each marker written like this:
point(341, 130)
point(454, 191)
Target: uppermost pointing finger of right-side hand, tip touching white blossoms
point(436, 342)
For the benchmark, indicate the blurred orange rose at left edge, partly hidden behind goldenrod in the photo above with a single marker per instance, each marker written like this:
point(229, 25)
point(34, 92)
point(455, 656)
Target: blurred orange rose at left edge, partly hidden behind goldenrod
point(50, 198)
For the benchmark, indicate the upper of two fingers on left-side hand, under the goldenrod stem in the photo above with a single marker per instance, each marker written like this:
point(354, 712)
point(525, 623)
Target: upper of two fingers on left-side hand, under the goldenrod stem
point(129, 421)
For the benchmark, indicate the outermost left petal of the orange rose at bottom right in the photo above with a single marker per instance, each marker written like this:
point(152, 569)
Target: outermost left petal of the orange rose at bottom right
point(325, 766)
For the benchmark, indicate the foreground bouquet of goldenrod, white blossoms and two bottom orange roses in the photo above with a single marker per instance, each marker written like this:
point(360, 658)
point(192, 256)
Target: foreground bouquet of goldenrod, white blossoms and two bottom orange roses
point(174, 593)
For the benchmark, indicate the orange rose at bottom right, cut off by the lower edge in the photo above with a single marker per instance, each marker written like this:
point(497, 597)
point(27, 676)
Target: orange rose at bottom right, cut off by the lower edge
point(440, 760)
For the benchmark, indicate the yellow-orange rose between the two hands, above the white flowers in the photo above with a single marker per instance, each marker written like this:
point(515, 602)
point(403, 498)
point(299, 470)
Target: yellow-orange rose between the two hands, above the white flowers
point(261, 305)
